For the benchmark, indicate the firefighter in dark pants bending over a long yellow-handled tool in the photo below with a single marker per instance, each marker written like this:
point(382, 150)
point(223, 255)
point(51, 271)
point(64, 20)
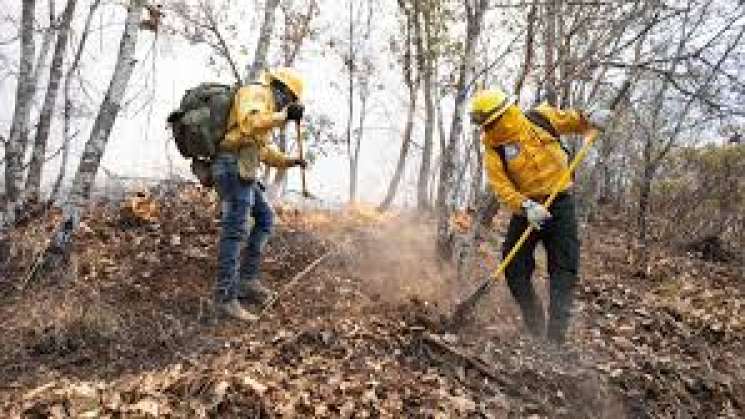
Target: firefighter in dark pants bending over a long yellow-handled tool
point(524, 161)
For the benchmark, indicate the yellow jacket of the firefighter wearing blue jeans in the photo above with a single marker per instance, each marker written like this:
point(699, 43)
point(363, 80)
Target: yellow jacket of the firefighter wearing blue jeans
point(250, 124)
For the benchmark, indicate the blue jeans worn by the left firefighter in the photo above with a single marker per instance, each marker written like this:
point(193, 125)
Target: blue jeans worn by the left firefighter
point(238, 199)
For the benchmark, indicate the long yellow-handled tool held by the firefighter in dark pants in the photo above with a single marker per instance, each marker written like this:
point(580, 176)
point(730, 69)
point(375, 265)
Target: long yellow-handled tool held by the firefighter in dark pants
point(465, 306)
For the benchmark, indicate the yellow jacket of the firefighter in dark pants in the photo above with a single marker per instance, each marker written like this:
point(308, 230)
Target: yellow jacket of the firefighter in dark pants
point(535, 160)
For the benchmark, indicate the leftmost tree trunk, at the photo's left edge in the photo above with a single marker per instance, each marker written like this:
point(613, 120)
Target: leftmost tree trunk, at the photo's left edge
point(24, 97)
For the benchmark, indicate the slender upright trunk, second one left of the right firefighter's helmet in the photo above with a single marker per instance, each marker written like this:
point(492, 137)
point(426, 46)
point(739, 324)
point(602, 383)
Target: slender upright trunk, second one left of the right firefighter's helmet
point(426, 58)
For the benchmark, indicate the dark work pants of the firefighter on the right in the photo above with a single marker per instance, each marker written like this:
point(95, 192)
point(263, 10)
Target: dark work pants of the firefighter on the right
point(560, 239)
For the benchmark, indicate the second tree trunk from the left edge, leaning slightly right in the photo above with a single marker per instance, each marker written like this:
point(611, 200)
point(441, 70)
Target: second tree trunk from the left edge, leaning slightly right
point(33, 181)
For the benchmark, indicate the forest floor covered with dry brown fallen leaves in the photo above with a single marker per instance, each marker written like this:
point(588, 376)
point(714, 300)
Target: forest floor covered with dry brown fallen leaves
point(124, 330)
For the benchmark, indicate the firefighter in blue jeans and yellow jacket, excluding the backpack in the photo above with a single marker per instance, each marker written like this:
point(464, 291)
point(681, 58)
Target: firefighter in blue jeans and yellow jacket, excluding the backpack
point(258, 108)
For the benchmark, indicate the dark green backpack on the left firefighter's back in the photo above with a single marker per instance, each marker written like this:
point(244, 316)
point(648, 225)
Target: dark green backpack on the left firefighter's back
point(200, 123)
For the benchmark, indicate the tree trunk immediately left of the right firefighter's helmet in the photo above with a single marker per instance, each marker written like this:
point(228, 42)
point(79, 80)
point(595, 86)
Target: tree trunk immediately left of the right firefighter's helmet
point(474, 19)
